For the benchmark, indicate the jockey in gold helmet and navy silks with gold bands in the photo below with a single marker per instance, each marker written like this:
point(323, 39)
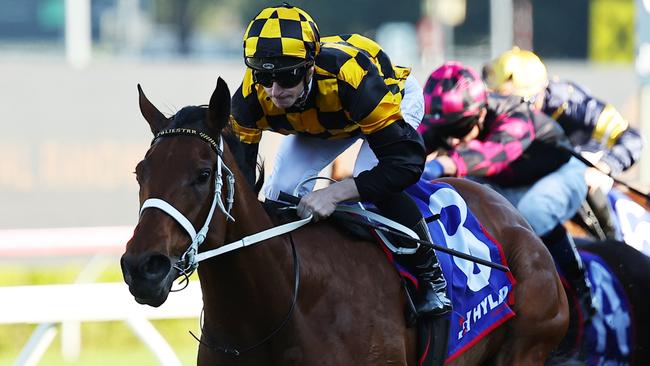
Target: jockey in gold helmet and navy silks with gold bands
point(594, 127)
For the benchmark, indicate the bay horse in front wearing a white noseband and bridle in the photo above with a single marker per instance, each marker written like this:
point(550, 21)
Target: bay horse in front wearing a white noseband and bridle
point(351, 305)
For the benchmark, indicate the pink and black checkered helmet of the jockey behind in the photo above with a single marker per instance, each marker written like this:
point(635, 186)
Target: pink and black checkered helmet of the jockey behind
point(454, 97)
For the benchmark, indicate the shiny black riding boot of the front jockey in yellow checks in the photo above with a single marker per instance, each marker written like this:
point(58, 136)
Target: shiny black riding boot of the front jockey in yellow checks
point(433, 300)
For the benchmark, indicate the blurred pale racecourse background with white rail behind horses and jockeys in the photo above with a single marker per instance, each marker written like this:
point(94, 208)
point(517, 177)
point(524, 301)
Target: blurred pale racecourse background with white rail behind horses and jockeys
point(72, 131)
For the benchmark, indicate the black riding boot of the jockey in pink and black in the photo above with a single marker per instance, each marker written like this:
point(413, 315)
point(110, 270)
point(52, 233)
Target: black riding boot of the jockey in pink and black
point(565, 254)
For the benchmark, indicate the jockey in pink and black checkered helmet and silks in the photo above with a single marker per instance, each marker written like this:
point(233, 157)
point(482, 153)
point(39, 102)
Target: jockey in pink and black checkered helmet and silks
point(500, 141)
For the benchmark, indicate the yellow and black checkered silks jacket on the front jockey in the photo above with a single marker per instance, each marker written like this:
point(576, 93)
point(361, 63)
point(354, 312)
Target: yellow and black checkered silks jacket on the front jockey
point(355, 89)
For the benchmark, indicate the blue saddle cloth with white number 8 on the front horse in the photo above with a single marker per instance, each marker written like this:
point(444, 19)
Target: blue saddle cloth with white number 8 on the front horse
point(482, 296)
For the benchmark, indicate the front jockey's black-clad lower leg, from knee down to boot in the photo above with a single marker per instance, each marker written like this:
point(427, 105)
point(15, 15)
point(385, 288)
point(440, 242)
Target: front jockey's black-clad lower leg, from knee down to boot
point(433, 299)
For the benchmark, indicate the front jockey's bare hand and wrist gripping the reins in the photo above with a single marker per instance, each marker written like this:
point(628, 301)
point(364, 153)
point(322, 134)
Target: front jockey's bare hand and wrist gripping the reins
point(322, 203)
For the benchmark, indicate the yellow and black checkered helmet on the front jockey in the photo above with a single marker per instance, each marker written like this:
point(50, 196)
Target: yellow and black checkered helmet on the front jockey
point(281, 37)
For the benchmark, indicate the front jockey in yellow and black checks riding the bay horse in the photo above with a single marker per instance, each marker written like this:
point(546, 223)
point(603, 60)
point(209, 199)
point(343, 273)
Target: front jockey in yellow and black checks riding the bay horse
point(325, 94)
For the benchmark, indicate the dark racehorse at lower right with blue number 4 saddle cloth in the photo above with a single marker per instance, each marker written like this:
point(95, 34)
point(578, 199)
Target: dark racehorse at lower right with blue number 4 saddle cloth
point(617, 334)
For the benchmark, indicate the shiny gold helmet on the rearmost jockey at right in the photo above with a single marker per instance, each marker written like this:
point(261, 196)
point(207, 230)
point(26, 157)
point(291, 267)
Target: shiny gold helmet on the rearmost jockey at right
point(522, 68)
